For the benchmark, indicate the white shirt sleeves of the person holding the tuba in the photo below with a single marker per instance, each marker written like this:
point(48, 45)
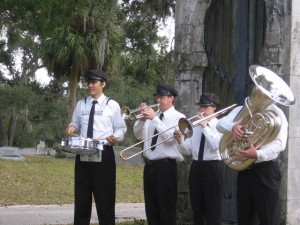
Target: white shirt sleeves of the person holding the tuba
point(268, 151)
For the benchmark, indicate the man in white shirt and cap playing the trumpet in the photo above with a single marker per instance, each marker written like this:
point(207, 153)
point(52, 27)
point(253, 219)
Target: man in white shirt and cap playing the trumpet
point(160, 171)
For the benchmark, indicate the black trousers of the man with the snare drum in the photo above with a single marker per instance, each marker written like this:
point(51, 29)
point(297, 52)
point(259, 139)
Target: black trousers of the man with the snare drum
point(97, 179)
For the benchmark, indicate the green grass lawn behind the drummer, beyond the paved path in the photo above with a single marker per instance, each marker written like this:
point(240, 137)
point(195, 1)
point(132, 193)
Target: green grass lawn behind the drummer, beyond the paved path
point(44, 180)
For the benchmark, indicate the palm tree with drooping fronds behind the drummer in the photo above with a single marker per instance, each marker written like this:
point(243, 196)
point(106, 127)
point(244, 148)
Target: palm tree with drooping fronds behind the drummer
point(80, 46)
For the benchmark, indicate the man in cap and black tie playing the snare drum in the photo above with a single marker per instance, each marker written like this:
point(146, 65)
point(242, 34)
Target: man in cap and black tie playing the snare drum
point(96, 117)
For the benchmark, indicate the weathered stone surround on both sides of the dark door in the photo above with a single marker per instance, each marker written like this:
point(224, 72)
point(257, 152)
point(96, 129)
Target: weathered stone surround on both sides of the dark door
point(281, 53)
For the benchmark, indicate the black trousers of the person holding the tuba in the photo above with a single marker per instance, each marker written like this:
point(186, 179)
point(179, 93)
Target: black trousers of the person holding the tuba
point(258, 193)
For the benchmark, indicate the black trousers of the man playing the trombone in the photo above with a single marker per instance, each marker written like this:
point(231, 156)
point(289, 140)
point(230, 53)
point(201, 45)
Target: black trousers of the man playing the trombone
point(206, 189)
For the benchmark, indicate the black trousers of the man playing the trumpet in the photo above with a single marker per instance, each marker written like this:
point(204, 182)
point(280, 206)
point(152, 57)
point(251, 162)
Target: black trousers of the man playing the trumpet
point(160, 191)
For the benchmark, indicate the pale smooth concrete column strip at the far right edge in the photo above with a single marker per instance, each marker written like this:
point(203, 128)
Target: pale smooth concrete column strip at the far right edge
point(292, 200)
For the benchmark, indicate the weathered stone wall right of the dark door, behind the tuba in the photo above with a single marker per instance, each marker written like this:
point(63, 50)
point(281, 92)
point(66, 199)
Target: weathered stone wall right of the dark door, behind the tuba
point(281, 54)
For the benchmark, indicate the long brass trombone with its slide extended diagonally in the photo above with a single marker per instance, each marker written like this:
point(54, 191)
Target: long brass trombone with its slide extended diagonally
point(185, 126)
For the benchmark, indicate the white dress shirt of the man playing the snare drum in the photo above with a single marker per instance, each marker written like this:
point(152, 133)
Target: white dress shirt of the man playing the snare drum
point(107, 119)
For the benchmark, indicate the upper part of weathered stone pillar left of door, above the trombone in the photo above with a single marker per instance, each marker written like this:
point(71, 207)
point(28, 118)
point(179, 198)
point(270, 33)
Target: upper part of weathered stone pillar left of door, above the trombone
point(190, 57)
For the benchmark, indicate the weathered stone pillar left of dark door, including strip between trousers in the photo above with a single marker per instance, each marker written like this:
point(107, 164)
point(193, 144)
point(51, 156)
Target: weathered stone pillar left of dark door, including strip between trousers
point(191, 61)
